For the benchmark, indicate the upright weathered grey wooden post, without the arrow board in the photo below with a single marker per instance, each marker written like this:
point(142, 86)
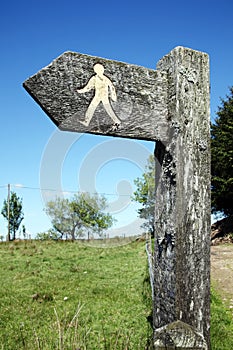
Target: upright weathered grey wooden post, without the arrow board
point(182, 239)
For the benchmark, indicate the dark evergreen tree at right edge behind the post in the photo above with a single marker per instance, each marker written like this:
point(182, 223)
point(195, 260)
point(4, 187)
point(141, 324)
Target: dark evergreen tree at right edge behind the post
point(222, 158)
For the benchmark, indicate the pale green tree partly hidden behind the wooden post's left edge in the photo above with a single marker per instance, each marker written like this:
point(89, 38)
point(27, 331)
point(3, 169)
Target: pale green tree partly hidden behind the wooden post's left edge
point(145, 195)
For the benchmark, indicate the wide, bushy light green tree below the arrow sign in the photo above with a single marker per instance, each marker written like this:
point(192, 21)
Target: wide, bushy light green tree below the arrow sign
point(83, 212)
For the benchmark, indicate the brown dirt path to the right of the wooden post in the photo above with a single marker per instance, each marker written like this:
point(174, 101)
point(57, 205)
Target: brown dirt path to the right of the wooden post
point(222, 271)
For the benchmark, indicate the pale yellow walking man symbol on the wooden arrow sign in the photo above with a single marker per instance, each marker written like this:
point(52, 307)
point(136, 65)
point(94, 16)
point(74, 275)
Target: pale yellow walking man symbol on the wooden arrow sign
point(102, 86)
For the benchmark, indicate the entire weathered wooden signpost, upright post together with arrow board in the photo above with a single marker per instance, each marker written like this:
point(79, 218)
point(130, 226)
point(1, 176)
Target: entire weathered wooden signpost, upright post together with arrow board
point(169, 105)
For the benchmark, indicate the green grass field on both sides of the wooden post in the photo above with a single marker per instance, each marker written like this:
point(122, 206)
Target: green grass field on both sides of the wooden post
point(69, 296)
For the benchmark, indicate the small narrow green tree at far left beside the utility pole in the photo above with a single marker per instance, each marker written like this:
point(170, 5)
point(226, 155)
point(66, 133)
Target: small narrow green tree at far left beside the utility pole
point(13, 214)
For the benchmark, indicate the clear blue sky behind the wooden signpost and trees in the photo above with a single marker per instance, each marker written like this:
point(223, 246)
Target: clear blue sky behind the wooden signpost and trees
point(33, 33)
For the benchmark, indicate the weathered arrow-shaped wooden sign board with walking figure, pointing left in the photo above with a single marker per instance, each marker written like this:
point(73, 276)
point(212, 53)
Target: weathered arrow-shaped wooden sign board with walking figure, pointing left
point(90, 94)
